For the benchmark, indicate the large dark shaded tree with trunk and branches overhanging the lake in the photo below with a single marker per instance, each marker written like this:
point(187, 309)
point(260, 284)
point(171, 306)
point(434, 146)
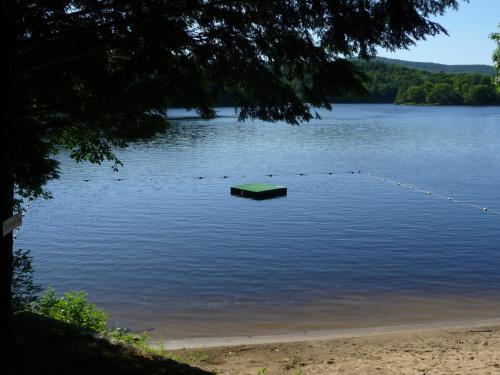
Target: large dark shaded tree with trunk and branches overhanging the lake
point(89, 75)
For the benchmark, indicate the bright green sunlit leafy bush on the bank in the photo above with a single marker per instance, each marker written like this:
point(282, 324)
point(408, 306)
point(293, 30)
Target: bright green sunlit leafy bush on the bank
point(73, 307)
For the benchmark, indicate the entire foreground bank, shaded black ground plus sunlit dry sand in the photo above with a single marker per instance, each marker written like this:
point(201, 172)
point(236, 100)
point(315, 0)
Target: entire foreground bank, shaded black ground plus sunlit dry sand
point(49, 347)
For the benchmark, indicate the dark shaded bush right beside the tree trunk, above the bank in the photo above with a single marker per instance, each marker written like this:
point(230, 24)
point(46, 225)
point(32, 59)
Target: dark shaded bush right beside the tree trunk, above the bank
point(24, 291)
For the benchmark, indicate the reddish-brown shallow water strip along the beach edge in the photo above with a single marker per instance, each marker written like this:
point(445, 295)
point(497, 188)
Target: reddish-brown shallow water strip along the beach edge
point(323, 318)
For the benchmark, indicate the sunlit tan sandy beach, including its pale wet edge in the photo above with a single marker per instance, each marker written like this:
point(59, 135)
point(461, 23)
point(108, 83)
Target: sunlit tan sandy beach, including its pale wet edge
point(444, 348)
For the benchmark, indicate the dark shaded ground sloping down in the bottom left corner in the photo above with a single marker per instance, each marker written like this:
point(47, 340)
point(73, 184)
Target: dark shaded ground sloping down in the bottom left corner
point(45, 346)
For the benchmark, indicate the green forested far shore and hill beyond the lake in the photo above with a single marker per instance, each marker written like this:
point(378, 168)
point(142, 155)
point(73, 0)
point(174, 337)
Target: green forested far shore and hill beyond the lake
point(392, 83)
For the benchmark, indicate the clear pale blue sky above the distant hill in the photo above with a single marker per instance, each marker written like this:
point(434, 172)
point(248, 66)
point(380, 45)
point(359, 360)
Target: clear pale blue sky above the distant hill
point(468, 41)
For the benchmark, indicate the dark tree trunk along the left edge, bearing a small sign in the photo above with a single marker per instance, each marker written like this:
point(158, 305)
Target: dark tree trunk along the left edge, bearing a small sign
point(7, 165)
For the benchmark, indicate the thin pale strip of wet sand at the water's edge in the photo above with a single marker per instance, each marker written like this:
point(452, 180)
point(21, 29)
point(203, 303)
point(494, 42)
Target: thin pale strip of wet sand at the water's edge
point(318, 335)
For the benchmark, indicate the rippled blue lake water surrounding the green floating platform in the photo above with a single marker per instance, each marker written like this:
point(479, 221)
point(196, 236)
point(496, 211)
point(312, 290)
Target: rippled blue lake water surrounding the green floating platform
point(163, 251)
